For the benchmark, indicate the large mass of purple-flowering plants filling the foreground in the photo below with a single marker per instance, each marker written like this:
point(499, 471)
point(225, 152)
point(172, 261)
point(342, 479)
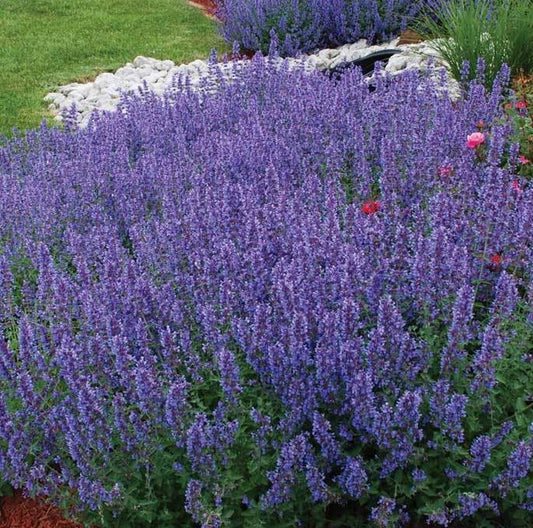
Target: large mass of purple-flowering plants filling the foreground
point(291, 302)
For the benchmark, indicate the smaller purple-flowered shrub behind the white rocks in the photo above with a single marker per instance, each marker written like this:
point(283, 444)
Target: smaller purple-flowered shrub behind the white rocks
point(305, 25)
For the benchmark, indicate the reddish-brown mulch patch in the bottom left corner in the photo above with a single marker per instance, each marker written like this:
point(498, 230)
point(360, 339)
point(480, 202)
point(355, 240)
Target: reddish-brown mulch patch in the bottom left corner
point(22, 512)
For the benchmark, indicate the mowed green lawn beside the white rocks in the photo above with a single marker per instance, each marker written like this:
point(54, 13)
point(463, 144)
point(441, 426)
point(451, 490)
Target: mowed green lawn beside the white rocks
point(47, 43)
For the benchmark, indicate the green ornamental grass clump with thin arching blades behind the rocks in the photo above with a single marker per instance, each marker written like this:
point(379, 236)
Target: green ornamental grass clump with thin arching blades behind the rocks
point(499, 32)
